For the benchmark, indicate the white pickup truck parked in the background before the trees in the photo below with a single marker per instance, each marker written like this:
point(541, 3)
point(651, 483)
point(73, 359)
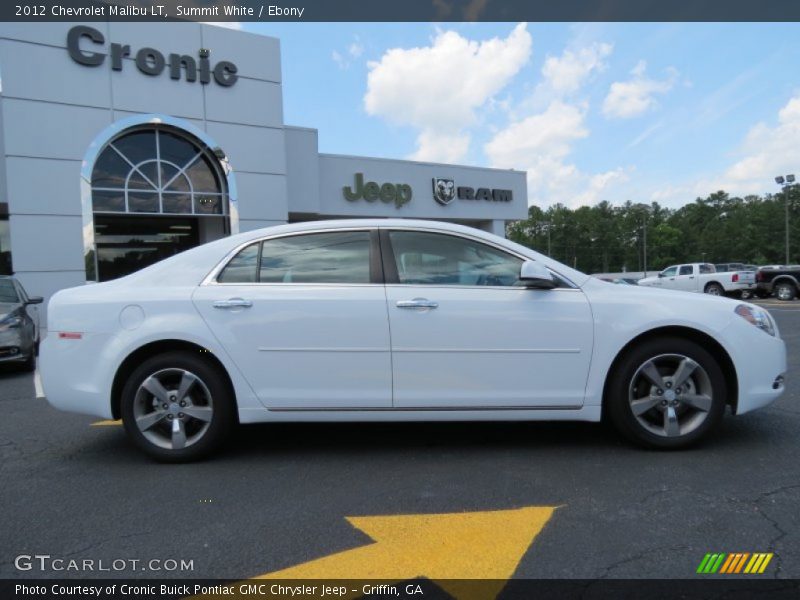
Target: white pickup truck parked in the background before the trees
point(703, 277)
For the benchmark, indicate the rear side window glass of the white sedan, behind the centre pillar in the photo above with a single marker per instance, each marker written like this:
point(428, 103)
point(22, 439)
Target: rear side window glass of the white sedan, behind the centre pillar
point(336, 257)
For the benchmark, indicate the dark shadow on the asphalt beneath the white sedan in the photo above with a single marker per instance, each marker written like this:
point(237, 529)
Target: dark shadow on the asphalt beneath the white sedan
point(359, 441)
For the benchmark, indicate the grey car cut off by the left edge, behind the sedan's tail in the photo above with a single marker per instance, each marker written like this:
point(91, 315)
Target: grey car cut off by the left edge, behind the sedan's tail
point(19, 331)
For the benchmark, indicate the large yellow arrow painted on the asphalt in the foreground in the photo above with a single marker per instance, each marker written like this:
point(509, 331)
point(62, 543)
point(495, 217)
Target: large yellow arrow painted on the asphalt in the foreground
point(444, 548)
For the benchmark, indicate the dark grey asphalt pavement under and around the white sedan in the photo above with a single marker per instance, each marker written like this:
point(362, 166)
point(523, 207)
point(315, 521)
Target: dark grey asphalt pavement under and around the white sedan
point(280, 496)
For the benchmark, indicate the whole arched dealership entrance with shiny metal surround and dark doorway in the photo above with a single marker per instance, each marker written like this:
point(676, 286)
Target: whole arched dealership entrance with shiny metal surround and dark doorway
point(153, 190)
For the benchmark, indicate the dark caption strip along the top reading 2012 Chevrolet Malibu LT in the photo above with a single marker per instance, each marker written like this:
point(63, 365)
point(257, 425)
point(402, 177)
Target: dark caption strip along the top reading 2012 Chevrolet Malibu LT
point(402, 10)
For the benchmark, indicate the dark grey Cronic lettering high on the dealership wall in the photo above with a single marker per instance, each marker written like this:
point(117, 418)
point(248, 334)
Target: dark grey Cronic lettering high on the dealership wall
point(149, 60)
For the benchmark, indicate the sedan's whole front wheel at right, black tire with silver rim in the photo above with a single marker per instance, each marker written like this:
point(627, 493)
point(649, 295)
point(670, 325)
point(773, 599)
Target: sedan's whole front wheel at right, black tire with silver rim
point(638, 411)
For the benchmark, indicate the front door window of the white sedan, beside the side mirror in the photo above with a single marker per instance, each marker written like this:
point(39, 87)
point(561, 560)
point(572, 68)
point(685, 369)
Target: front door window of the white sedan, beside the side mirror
point(424, 258)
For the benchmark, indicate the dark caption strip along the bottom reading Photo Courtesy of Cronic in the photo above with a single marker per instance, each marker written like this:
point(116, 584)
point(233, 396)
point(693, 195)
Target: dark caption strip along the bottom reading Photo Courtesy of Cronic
point(732, 588)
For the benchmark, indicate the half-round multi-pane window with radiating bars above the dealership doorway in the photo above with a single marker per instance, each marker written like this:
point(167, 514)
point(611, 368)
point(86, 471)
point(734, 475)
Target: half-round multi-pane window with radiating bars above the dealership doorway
point(156, 170)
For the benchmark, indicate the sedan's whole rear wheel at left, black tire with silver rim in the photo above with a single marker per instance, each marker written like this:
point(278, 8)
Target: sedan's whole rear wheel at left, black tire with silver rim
point(164, 429)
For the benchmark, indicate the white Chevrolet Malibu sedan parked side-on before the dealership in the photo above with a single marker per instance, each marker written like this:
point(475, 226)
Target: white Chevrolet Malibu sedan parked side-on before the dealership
point(397, 320)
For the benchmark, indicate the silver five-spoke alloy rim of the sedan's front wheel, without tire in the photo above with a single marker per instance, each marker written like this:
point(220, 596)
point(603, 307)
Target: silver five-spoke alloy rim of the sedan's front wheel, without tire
point(670, 395)
